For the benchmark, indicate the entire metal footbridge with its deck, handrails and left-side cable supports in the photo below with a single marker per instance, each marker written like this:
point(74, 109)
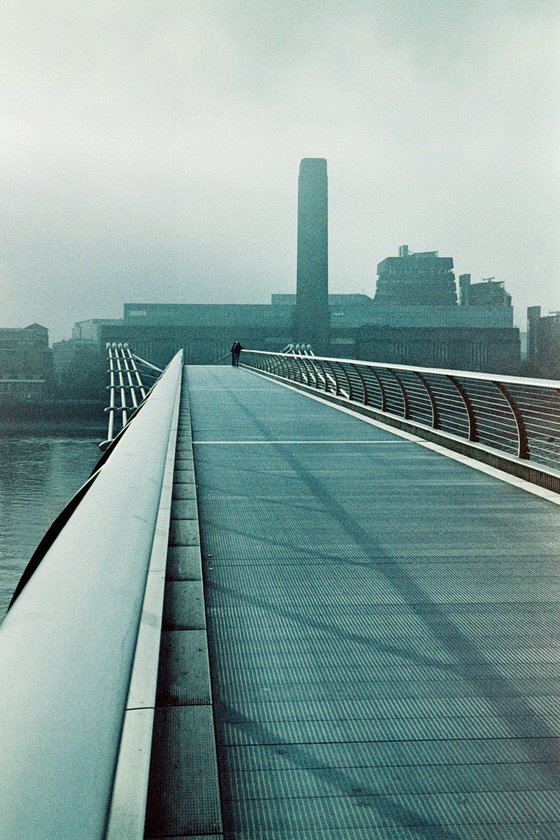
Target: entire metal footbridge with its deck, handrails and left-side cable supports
point(299, 598)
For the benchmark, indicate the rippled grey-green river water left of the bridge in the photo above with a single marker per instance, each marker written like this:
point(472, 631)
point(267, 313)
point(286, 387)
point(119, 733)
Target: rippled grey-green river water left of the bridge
point(38, 476)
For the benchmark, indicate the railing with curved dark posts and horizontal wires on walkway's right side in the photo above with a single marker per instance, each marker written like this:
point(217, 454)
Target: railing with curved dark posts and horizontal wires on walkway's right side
point(509, 414)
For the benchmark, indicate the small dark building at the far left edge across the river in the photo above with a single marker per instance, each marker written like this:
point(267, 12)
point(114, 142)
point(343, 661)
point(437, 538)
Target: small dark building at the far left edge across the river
point(26, 366)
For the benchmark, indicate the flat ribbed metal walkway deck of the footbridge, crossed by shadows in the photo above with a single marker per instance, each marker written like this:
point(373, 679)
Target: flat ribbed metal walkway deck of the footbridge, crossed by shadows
point(383, 626)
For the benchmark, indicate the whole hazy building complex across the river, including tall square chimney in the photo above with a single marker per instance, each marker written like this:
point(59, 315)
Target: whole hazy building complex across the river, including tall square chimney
point(414, 317)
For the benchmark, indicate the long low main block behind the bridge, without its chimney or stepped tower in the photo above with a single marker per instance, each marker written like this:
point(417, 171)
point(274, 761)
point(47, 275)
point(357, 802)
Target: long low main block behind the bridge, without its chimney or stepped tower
point(465, 337)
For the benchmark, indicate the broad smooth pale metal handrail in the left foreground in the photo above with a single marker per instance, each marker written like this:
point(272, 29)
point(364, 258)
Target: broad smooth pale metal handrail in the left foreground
point(68, 641)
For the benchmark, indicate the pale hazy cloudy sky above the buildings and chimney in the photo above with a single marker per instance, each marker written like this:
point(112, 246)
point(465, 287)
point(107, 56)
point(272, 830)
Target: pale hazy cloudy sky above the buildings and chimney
point(150, 150)
